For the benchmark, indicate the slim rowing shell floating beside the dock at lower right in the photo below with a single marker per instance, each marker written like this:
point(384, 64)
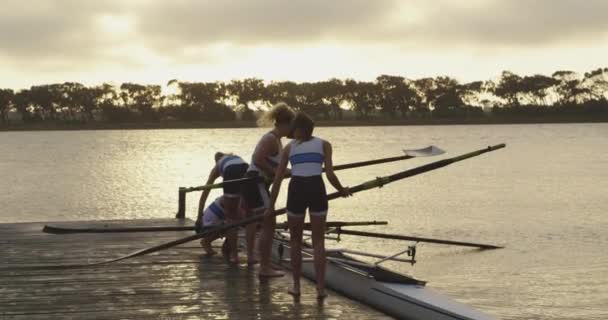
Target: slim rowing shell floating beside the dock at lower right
point(395, 294)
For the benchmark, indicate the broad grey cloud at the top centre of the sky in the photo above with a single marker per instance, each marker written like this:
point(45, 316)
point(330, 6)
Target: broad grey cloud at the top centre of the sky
point(254, 22)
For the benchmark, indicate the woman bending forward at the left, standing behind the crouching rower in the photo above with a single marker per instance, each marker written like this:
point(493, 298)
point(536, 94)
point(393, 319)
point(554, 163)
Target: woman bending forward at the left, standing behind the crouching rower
point(230, 167)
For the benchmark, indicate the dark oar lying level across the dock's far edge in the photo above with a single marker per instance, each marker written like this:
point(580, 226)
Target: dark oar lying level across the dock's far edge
point(68, 230)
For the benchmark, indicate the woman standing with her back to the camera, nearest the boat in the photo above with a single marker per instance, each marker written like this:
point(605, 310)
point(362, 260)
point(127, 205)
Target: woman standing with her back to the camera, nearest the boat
point(307, 155)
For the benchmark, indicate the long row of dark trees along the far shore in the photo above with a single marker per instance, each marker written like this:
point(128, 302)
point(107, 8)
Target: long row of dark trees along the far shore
point(563, 93)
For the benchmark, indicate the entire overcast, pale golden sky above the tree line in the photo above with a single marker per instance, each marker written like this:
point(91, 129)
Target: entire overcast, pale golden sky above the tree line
point(72, 37)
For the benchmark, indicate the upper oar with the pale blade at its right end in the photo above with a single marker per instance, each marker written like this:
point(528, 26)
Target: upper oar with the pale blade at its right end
point(408, 154)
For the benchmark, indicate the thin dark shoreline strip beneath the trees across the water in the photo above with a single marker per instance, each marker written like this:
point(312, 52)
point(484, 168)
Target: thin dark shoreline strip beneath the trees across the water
point(321, 123)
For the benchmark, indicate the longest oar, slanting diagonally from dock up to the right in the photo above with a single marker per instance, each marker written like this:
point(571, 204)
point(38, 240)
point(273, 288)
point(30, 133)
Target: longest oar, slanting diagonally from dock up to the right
point(376, 183)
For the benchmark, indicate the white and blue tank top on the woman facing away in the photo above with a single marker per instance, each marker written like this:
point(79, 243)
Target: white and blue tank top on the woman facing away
point(306, 157)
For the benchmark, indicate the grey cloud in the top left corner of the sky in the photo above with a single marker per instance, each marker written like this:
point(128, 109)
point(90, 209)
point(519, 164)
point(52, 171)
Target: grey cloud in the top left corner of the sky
point(52, 34)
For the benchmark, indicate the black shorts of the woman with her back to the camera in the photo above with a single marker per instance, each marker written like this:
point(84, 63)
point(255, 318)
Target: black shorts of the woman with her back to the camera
point(307, 193)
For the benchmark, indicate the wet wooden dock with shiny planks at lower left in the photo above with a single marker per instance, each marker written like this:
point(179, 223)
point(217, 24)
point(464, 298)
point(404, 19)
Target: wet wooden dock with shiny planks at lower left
point(179, 283)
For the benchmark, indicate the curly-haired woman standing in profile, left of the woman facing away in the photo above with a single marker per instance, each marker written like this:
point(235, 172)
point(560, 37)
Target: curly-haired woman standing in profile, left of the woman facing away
point(263, 164)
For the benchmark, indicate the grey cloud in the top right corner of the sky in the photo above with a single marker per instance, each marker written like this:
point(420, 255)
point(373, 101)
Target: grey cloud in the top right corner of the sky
point(522, 23)
